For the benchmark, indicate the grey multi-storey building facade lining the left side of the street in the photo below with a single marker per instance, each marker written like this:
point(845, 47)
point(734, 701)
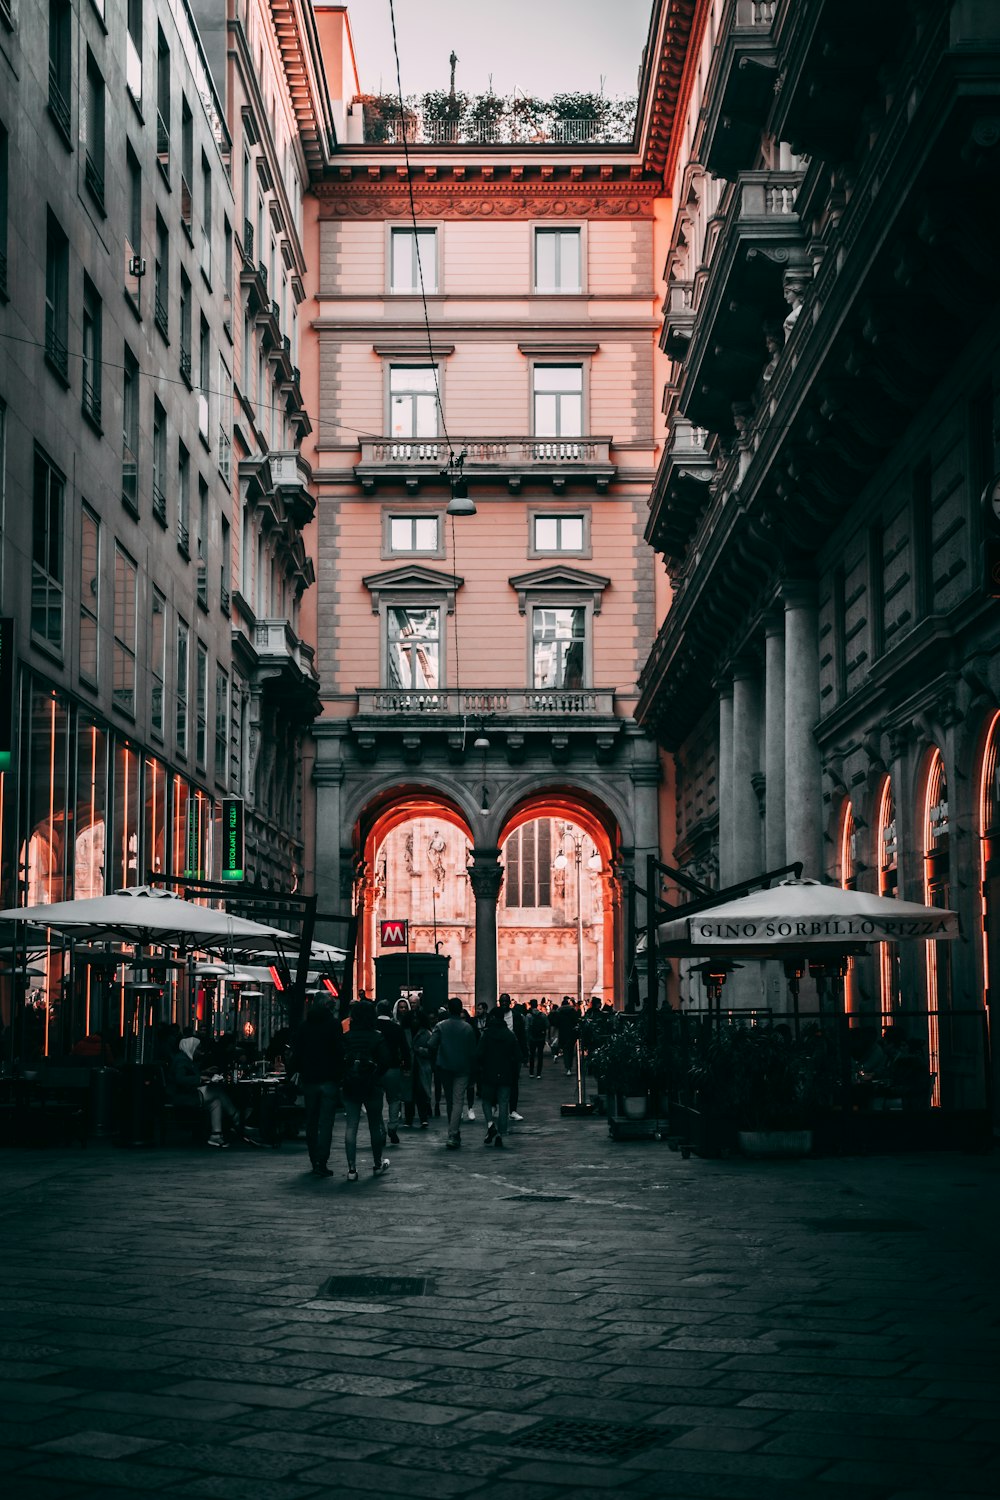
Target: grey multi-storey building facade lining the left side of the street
point(152, 173)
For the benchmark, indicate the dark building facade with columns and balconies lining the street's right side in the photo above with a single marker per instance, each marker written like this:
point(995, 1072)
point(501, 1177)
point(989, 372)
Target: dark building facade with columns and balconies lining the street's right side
point(827, 679)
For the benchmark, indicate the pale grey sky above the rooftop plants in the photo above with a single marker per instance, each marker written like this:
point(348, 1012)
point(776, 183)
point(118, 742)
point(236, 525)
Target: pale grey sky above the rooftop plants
point(537, 47)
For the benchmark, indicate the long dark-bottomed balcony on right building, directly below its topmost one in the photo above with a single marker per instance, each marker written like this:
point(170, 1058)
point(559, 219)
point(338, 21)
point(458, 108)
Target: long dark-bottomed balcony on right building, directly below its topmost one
point(744, 304)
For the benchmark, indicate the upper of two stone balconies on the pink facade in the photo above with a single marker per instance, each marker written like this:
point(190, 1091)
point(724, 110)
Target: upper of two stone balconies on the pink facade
point(416, 463)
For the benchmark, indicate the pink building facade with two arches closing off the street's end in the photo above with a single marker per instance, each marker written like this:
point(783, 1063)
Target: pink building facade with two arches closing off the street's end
point(481, 671)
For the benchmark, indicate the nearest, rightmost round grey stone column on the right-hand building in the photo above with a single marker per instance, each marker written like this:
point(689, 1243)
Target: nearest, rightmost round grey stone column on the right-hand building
point(803, 787)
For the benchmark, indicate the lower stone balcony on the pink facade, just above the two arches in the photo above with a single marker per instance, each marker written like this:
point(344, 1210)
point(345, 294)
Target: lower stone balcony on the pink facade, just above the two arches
point(557, 722)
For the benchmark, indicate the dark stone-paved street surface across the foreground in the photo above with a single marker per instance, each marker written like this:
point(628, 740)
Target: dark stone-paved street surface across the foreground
point(585, 1319)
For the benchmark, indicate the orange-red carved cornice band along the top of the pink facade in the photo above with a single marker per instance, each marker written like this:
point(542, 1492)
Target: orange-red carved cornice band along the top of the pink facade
point(383, 199)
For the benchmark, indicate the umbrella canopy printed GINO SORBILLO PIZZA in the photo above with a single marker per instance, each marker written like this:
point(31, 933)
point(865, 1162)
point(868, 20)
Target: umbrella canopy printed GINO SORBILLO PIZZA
point(801, 916)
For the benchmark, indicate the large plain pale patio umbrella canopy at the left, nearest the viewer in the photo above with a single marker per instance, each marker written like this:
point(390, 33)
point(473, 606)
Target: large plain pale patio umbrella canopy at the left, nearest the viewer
point(149, 916)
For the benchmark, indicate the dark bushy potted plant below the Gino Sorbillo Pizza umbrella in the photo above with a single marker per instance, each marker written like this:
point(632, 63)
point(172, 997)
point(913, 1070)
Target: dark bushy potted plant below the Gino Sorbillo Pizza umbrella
point(755, 1082)
